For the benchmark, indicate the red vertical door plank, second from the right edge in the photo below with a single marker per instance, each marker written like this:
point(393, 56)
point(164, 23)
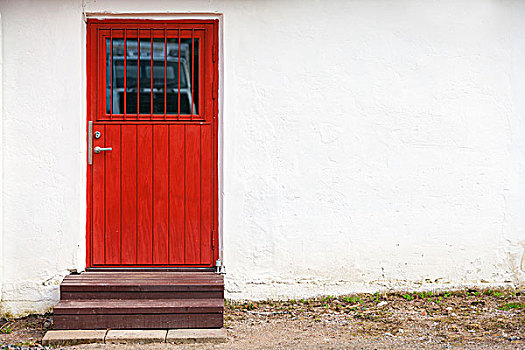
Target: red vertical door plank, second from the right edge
point(192, 205)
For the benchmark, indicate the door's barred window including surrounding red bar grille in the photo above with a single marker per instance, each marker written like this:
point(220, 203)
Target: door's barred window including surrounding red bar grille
point(153, 74)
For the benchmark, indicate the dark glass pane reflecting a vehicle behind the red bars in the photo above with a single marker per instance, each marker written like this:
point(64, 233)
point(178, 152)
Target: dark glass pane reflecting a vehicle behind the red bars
point(150, 83)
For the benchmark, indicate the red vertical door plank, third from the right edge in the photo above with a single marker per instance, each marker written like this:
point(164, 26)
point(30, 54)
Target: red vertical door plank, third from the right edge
point(176, 195)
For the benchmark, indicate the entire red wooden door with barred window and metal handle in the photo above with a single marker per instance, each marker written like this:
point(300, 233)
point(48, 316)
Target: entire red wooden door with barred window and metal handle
point(152, 143)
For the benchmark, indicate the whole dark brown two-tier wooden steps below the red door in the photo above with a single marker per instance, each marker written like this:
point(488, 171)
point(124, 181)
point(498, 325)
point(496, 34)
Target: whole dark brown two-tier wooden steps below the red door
point(140, 300)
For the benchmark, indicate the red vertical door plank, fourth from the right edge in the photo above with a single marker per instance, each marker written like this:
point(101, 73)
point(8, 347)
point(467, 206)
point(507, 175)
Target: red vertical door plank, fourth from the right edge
point(160, 194)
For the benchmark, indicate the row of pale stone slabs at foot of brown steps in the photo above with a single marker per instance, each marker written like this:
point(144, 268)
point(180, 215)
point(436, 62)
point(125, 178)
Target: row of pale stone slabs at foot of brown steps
point(134, 336)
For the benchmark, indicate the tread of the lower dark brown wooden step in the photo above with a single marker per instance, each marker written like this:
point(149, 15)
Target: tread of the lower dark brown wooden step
point(139, 306)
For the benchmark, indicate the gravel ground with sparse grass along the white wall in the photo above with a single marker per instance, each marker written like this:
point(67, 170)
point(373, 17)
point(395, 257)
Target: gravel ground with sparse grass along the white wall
point(468, 319)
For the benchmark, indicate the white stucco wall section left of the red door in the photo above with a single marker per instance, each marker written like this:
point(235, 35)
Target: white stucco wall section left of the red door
point(43, 150)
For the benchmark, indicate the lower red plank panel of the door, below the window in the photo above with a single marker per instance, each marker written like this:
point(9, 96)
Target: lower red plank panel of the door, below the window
point(157, 197)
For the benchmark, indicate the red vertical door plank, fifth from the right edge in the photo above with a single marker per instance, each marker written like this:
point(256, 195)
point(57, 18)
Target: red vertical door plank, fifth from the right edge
point(144, 194)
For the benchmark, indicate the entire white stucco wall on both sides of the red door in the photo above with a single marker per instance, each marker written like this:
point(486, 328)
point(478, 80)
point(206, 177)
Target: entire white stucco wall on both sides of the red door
point(365, 144)
